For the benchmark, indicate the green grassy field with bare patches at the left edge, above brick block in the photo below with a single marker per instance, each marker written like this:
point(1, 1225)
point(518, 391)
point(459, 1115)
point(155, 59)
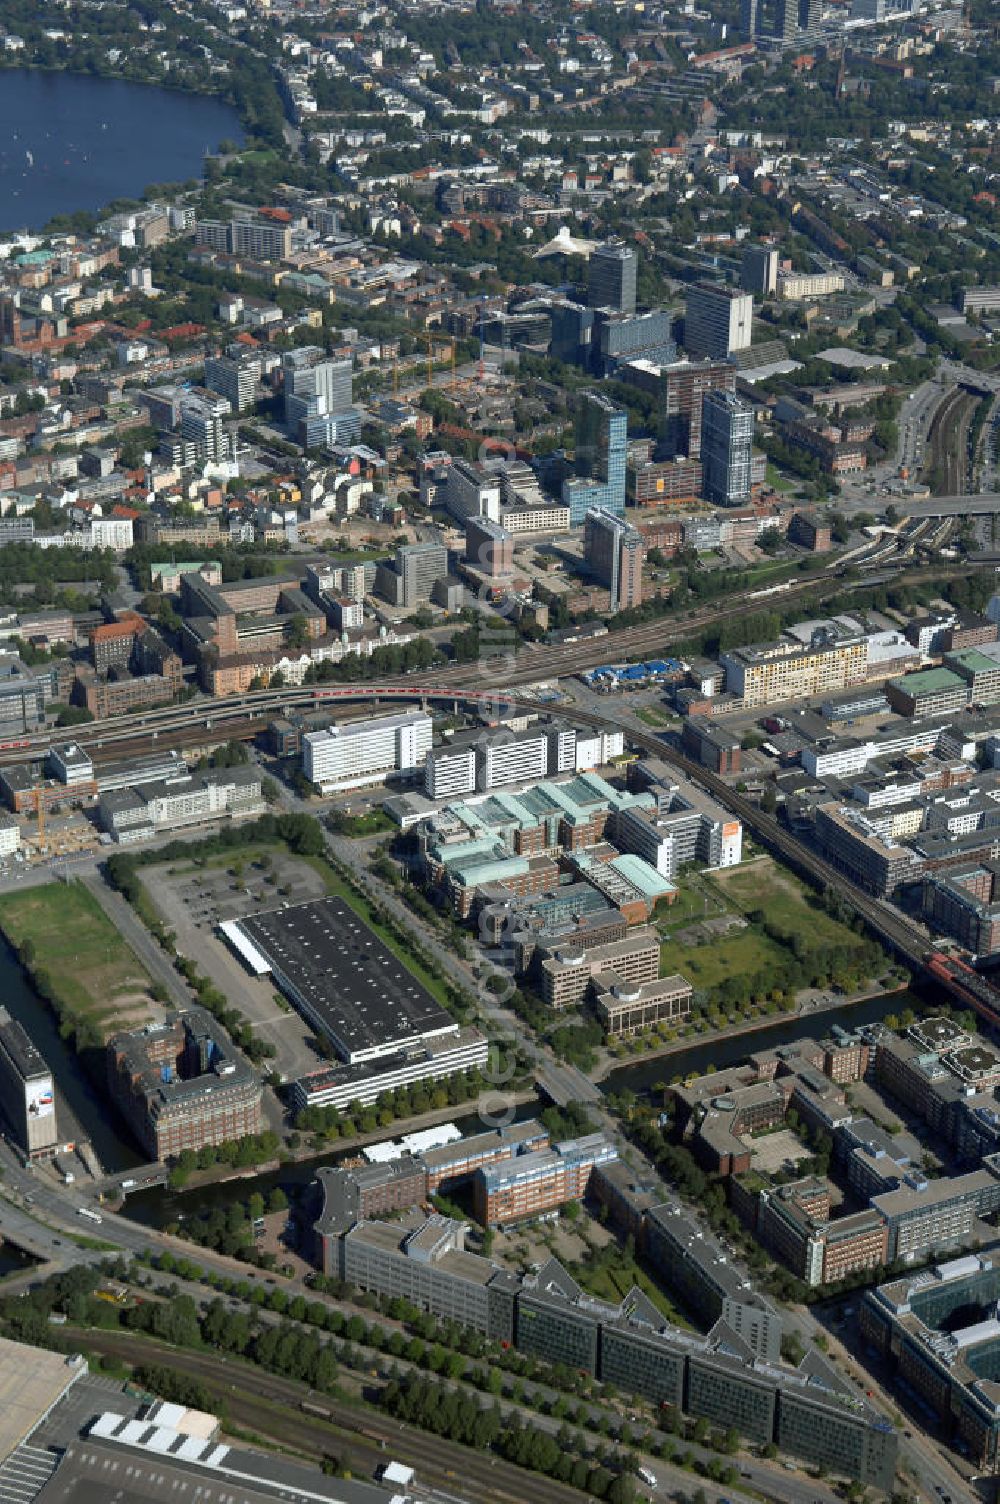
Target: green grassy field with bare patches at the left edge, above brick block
point(95, 978)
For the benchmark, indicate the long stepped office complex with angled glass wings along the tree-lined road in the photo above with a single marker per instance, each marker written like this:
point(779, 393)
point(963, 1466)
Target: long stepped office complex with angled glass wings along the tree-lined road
point(733, 1377)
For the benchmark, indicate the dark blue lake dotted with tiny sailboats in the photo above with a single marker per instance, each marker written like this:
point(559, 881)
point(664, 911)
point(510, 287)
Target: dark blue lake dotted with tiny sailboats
point(73, 142)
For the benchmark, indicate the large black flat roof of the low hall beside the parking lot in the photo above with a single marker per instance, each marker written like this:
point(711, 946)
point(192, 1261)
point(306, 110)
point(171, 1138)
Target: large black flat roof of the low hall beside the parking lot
point(341, 969)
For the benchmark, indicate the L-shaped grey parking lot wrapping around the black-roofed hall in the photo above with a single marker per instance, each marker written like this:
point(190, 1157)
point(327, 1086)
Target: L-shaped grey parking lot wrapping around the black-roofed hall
point(195, 900)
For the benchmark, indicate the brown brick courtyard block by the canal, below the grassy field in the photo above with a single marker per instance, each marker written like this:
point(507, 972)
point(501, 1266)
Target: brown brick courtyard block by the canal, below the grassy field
point(183, 1085)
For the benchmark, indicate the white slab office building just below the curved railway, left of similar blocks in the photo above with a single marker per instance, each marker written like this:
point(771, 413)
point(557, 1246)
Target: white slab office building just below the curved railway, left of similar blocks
point(357, 753)
